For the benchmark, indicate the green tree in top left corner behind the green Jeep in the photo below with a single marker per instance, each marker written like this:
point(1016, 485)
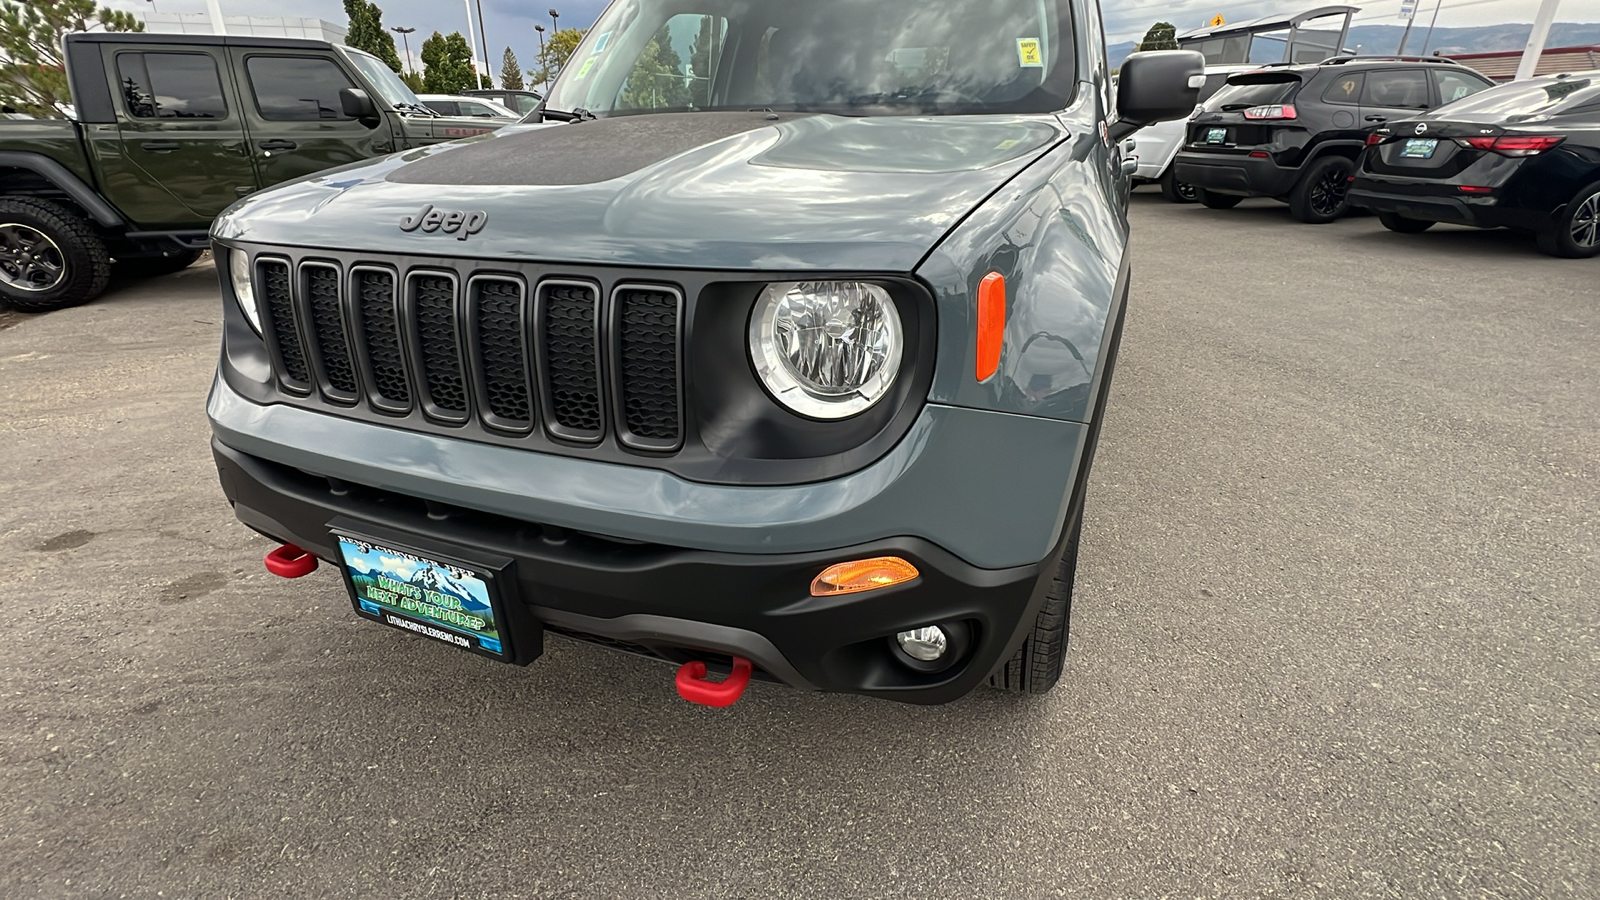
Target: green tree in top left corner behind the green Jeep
point(33, 74)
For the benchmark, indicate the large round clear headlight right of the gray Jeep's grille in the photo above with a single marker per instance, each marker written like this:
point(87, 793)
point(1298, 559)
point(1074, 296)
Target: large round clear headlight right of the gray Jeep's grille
point(826, 350)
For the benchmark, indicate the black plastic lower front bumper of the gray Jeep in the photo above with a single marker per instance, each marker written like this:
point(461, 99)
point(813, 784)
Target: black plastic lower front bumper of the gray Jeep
point(678, 605)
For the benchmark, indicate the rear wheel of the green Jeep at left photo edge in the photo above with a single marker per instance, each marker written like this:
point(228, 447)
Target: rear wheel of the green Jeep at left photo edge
point(49, 257)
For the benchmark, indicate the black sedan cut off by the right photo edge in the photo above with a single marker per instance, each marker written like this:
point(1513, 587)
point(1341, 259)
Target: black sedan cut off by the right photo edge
point(1522, 156)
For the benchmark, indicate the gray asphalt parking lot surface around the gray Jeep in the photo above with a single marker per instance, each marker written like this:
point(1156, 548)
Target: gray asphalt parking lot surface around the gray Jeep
point(1335, 637)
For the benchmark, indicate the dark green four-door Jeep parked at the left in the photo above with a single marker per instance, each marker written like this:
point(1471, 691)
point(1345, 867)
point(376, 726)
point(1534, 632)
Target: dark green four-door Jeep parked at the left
point(169, 132)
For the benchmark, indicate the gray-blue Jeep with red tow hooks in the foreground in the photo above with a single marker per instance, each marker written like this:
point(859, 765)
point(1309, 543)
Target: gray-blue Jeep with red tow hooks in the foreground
point(774, 345)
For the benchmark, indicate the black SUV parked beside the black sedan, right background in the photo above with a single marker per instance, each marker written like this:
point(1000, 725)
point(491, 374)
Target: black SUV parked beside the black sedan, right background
point(1295, 132)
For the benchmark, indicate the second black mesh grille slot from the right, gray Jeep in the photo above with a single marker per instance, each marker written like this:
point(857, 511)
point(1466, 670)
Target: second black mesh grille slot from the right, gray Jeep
point(570, 360)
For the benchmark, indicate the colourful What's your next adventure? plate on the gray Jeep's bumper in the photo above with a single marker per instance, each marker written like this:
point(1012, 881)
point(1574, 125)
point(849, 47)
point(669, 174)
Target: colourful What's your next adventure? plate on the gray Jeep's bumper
point(426, 597)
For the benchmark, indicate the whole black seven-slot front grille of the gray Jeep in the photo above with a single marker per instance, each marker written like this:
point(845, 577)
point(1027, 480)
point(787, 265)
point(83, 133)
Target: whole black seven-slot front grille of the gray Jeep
point(468, 348)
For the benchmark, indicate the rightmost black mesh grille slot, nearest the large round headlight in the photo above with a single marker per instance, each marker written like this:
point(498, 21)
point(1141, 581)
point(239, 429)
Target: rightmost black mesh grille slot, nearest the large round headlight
point(647, 344)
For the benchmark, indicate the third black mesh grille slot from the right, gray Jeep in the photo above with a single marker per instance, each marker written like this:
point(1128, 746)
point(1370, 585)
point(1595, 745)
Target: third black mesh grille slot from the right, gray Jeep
point(503, 355)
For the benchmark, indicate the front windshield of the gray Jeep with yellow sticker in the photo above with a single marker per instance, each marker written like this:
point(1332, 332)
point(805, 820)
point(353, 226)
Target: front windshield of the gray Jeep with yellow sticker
point(849, 57)
